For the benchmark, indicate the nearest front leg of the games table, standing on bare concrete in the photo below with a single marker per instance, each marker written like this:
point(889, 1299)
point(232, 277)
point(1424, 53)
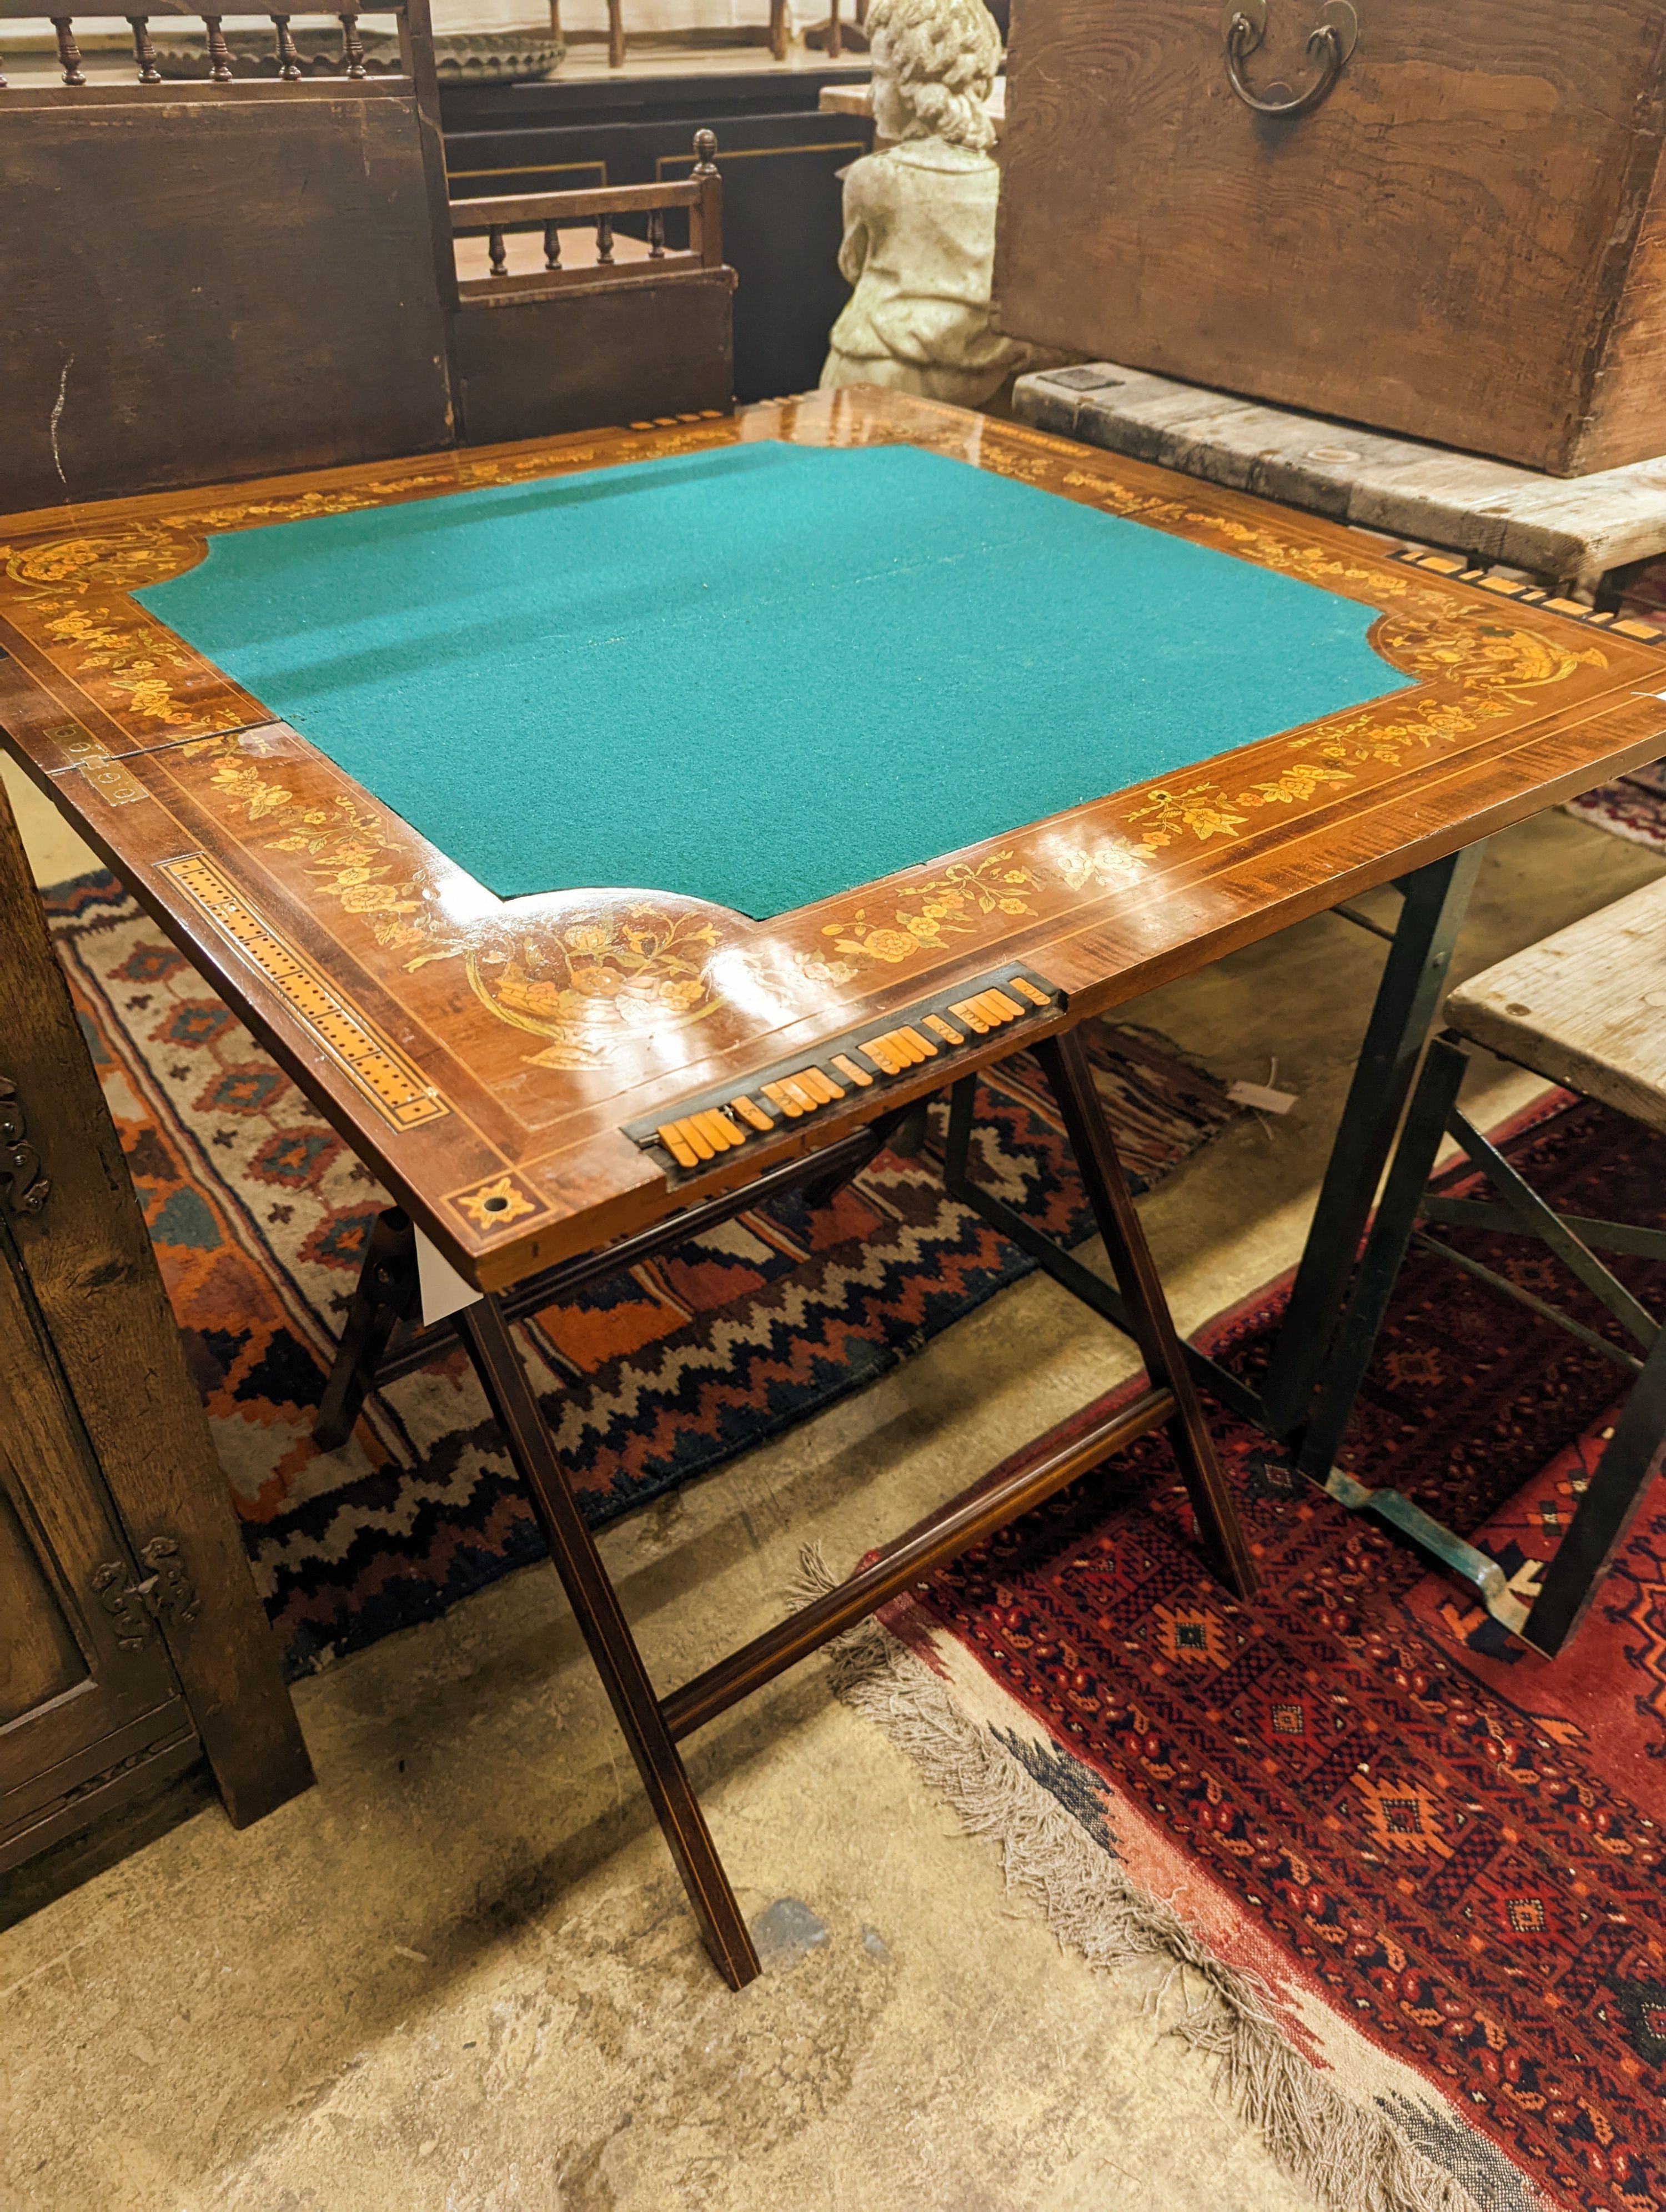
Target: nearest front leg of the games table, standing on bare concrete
point(607, 1634)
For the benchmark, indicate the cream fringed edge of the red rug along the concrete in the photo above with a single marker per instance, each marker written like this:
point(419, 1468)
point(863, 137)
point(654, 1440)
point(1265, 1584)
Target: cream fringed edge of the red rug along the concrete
point(1353, 2158)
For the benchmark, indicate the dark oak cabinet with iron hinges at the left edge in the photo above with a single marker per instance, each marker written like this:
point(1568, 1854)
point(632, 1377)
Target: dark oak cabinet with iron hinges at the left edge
point(134, 1649)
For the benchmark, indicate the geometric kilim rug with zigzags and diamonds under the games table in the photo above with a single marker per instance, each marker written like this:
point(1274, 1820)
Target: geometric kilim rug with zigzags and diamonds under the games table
point(258, 1215)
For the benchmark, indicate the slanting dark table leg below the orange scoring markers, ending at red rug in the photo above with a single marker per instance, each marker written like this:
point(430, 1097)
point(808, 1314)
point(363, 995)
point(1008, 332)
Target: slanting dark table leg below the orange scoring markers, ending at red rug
point(1149, 1319)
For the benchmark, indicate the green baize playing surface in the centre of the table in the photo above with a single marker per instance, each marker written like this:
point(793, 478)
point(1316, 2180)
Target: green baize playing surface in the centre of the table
point(758, 676)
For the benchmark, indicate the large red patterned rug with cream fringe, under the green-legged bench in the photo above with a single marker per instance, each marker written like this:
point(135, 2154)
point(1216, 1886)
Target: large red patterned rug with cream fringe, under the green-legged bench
point(1413, 1872)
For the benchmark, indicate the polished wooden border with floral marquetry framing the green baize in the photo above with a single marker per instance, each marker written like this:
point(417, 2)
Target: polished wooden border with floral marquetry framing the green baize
point(521, 1016)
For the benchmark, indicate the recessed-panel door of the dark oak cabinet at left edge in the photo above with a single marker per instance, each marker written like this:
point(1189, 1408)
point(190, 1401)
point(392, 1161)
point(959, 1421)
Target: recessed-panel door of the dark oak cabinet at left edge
point(90, 1704)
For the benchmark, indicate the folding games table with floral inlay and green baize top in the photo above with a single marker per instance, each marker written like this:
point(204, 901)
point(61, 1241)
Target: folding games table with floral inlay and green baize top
point(610, 833)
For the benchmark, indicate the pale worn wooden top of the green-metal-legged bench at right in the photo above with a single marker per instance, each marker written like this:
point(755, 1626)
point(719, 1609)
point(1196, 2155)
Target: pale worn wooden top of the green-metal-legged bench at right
point(1585, 1008)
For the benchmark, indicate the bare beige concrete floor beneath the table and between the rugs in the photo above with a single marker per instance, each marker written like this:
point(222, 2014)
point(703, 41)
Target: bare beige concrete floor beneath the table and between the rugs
point(459, 1976)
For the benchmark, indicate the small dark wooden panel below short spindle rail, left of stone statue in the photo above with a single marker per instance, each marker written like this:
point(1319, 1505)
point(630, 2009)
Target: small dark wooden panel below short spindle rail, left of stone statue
point(543, 366)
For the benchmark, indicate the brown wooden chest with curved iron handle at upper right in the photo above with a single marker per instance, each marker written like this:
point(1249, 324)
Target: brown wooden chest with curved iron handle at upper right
point(1464, 240)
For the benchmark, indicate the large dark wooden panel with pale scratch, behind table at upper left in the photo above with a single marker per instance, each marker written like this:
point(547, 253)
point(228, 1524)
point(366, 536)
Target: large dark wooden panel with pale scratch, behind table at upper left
point(202, 289)
